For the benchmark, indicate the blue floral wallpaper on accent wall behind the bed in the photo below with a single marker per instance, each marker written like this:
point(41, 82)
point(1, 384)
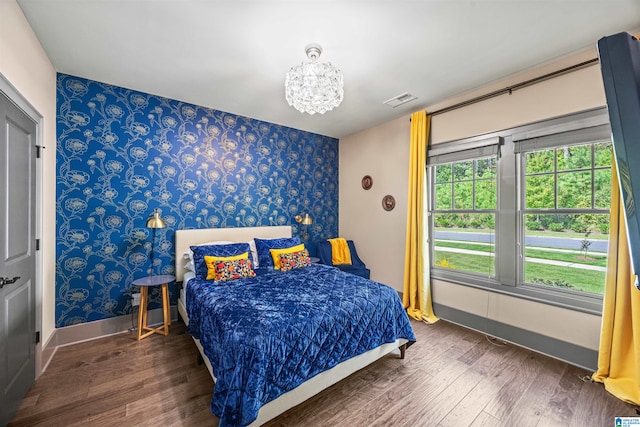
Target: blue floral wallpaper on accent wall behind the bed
point(121, 154)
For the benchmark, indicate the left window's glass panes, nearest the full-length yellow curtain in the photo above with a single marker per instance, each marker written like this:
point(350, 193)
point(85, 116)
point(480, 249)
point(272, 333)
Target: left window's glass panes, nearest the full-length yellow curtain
point(464, 207)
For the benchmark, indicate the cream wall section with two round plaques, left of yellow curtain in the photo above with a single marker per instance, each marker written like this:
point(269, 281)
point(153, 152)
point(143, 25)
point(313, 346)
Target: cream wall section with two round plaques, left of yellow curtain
point(383, 153)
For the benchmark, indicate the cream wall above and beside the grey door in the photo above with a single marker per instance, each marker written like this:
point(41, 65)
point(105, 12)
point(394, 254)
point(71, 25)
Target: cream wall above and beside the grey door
point(26, 66)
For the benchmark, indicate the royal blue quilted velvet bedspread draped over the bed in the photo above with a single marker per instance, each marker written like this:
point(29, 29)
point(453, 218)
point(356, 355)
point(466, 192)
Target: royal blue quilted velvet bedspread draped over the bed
point(268, 334)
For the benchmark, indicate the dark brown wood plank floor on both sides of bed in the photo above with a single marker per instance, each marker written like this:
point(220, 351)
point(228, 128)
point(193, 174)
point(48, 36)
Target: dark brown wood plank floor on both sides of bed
point(450, 377)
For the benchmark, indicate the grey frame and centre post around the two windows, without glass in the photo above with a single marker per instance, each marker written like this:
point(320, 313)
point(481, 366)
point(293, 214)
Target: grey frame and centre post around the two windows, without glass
point(571, 129)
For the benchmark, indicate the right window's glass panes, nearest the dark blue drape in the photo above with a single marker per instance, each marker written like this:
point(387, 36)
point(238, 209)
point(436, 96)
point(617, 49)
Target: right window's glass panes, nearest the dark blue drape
point(565, 213)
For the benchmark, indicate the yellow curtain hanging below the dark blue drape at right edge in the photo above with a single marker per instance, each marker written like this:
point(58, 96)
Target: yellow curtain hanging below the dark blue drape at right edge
point(619, 354)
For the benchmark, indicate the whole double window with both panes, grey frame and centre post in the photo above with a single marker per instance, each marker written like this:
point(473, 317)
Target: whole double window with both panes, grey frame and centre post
point(525, 210)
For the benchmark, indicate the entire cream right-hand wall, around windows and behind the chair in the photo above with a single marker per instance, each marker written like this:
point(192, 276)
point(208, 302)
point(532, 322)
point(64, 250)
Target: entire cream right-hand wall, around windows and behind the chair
point(383, 151)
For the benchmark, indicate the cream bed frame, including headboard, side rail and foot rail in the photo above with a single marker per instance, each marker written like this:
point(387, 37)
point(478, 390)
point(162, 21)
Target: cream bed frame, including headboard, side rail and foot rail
point(186, 238)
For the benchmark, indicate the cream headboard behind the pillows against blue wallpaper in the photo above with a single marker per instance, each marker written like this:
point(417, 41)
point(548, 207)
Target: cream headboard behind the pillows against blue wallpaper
point(186, 238)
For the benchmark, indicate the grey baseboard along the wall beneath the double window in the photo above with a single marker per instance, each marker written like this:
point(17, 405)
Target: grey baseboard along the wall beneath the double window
point(573, 354)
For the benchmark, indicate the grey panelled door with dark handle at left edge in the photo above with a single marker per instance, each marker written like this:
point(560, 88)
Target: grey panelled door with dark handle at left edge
point(17, 256)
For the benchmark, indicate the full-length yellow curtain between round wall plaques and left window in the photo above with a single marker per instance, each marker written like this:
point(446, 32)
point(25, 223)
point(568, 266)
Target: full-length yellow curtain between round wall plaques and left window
point(416, 295)
